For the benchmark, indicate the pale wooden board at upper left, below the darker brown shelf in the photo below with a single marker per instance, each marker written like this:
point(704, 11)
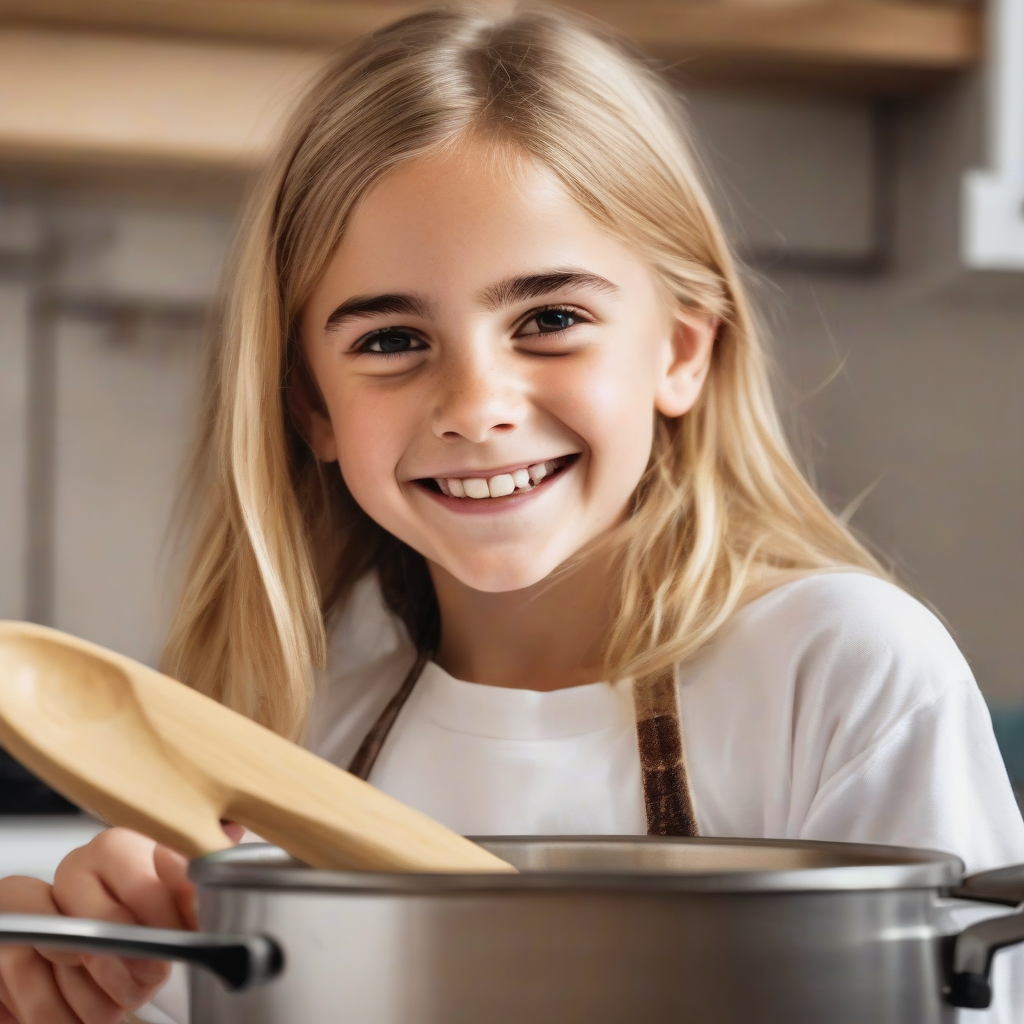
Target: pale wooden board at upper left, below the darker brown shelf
point(99, 99)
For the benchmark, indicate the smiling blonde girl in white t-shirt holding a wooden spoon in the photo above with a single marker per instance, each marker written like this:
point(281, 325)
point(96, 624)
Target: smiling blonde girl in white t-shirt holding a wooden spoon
point(489, 434)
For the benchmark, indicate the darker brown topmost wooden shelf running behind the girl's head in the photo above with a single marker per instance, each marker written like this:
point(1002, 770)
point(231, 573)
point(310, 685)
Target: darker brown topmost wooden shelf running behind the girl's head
point(872, 47)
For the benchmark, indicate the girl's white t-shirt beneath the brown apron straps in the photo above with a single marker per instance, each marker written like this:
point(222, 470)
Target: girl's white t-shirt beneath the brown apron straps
point(833, 708)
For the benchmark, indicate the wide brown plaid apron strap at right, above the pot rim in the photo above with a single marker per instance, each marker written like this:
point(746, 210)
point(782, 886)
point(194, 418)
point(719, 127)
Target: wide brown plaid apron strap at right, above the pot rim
point(663, 764)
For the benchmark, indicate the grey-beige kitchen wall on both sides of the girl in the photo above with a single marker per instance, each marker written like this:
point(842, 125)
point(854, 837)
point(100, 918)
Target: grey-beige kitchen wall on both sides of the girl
point(901, 375)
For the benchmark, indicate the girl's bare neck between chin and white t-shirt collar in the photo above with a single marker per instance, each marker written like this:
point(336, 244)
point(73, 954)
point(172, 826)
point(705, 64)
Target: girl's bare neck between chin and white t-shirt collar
point(547, 637)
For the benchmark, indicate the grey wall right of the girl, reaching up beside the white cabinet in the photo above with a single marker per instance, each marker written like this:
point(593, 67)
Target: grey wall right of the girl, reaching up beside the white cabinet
point(906, 390)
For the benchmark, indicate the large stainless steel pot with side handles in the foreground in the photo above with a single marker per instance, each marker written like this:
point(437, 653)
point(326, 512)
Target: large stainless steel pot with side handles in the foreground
point(600, 930)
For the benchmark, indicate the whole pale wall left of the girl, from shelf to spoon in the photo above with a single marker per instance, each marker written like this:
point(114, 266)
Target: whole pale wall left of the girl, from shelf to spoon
point(123, 288)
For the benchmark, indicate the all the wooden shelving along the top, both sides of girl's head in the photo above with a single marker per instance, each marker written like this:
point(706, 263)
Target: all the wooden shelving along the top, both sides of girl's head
point(183, 87)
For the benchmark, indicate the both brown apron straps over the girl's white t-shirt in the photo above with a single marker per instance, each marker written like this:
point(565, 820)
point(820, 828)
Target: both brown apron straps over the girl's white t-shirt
point(668, 803)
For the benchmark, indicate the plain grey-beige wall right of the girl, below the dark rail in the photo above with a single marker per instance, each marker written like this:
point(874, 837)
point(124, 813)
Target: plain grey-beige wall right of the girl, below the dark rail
point(926, 410)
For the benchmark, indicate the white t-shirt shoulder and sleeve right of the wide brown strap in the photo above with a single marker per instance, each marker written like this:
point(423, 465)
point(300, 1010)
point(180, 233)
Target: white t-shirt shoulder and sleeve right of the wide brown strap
point(838, 707)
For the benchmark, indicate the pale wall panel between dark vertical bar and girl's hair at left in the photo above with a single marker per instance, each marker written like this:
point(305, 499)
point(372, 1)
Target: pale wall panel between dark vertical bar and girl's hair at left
point(125, 409)
